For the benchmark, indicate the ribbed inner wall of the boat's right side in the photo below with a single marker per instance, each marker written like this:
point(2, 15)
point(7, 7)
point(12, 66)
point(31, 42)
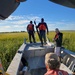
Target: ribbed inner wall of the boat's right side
point(68, 58)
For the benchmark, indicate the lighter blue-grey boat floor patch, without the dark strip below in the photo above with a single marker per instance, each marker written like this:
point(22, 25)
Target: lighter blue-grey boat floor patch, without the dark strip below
point(36, 62)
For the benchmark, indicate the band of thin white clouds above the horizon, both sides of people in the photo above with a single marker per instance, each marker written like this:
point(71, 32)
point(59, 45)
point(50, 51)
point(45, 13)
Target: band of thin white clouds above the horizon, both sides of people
point(19, 23)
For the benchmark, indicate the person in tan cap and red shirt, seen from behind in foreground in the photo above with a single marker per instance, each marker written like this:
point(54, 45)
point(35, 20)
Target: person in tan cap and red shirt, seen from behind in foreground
point(52, 65)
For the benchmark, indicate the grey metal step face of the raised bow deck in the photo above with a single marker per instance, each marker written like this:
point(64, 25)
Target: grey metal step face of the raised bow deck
point(37, 51)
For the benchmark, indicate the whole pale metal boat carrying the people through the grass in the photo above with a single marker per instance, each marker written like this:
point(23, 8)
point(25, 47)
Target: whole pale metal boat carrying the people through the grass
point(35, 56)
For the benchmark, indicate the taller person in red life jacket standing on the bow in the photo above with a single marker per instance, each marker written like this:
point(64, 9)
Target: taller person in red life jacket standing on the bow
point(42, 26)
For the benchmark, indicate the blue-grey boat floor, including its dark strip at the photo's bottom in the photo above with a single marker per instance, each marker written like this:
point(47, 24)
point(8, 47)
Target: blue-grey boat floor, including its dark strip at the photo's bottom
point(36, 65)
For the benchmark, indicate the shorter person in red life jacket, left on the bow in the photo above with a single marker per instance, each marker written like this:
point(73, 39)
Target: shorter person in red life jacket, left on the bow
point(31, 31)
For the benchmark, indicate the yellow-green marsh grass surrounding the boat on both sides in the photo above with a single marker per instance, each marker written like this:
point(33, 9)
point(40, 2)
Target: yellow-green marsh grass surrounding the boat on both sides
point(10, 43)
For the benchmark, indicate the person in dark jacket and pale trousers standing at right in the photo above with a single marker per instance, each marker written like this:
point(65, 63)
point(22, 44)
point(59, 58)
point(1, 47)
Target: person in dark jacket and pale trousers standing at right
point(58, 41)
